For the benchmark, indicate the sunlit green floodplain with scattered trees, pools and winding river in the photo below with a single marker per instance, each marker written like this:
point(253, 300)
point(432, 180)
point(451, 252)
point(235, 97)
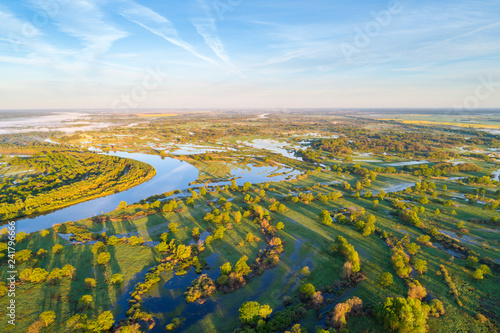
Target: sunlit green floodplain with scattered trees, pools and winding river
point(295, 222)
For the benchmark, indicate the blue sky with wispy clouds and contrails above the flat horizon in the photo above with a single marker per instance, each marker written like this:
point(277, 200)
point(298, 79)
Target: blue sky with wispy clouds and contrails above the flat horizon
point(205, 54)
